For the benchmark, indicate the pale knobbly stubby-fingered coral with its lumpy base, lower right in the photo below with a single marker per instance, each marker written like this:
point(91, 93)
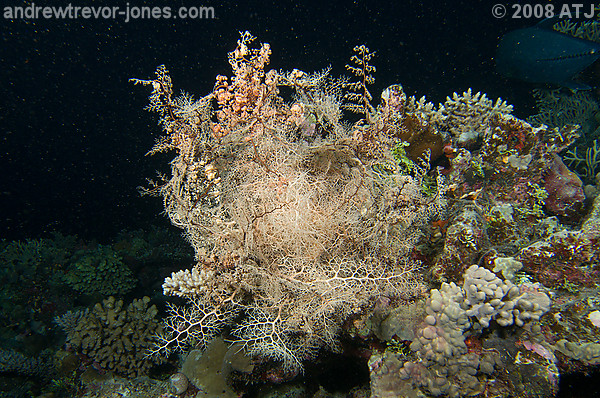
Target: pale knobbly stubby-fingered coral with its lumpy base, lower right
point(449, 358)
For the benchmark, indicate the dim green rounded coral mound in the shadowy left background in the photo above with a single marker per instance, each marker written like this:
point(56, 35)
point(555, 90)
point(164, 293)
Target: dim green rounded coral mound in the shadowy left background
point(100, 271)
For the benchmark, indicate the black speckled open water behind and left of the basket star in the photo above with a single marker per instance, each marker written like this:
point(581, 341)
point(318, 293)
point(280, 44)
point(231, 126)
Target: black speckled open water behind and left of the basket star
point(73, 130)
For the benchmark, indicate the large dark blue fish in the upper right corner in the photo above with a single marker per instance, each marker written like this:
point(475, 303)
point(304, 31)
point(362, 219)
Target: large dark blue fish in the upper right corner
point(540, 54)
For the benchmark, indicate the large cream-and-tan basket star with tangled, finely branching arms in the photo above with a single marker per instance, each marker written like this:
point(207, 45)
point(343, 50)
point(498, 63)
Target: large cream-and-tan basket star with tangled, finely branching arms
point(294, 232)
